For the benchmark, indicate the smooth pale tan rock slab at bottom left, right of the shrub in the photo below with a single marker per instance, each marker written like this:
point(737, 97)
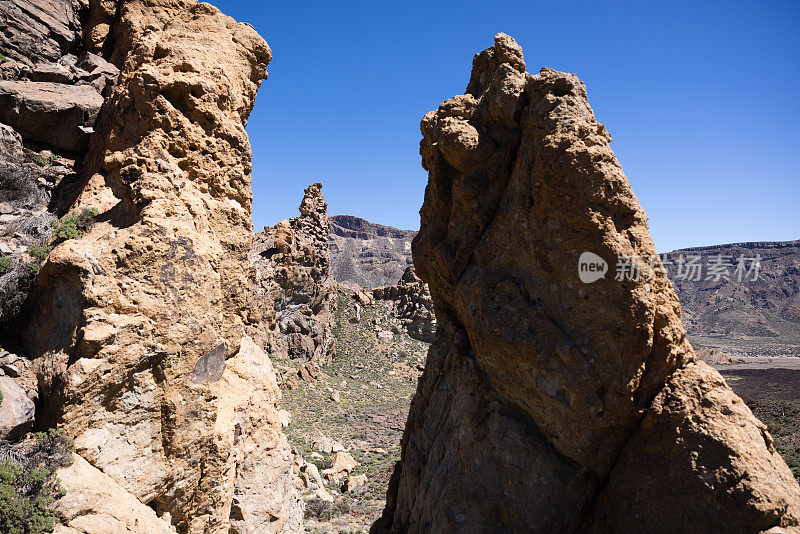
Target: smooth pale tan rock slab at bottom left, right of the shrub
point(95, 504)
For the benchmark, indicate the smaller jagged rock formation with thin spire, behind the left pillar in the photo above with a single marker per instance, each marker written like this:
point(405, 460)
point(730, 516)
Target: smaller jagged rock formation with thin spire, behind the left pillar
point(291, 283)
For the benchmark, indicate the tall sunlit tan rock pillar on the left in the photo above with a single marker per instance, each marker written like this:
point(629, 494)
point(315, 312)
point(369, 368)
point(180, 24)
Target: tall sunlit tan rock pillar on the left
point(138, 327)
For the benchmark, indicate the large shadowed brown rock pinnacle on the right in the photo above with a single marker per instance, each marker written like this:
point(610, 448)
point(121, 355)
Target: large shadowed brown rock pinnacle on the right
point(550, 404)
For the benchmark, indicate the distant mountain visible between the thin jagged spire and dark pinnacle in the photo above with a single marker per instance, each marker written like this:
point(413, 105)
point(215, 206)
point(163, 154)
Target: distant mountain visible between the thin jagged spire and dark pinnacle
point(367, 255)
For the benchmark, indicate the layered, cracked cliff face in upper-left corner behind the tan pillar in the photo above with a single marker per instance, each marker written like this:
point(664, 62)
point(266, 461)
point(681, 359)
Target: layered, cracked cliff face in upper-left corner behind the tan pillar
point(51, 90)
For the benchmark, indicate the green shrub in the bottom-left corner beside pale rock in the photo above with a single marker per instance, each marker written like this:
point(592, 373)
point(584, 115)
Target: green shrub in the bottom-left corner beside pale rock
point(29, 488)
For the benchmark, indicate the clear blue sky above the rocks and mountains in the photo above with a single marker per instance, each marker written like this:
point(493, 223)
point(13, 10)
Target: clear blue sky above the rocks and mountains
point(702, 102)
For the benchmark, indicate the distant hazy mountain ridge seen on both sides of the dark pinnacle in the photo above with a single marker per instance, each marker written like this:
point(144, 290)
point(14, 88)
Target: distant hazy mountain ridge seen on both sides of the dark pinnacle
point(740, 318)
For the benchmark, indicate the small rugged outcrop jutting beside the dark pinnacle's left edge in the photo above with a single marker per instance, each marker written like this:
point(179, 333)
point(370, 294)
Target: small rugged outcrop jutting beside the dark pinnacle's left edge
point(412, 305)
